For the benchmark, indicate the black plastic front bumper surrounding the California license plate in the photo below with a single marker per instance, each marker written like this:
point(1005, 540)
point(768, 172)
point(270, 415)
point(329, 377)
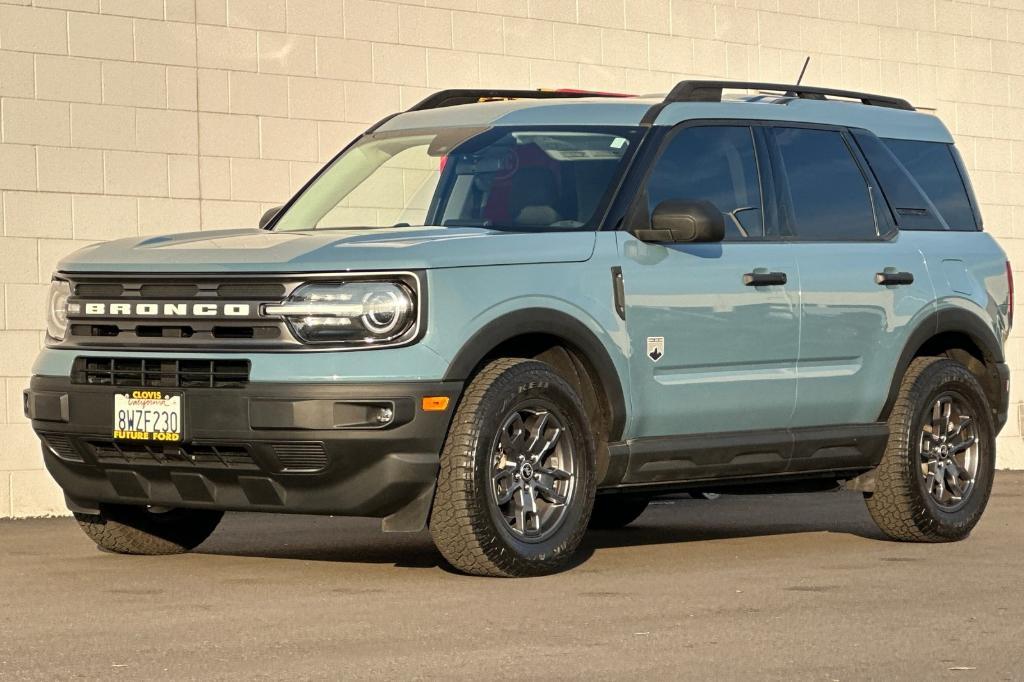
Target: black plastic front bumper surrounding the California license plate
point(314, 449)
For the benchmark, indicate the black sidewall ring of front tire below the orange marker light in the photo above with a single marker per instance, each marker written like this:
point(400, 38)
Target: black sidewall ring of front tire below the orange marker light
point(533, 385)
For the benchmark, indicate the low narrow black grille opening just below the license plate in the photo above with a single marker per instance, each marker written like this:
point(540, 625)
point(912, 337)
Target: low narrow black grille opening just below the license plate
point(221, 456)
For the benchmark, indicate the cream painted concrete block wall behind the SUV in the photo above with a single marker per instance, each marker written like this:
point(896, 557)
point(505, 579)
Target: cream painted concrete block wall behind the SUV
point(137, 117)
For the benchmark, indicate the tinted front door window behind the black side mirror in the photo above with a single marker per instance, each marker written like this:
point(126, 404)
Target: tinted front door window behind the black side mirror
point(716, 164)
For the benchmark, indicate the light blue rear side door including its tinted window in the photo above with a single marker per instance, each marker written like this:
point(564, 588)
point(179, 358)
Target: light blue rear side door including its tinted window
point(863, 286)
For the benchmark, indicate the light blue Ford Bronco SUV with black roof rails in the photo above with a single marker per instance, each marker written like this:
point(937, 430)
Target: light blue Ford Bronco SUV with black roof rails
point(510, 316)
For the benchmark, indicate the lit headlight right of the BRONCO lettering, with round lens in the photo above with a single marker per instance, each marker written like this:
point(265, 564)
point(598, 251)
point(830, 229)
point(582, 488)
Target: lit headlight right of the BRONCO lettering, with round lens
point(357, 314)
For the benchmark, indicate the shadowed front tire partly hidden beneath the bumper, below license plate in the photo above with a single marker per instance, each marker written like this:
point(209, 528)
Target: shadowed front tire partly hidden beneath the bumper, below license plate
point(131, 530)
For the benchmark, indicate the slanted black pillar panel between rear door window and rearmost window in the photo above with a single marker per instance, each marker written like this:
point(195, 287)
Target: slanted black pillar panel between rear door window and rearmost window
point(907, 201)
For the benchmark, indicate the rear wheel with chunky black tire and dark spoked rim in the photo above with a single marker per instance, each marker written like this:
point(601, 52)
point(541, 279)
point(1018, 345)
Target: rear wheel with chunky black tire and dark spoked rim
point(935, 479)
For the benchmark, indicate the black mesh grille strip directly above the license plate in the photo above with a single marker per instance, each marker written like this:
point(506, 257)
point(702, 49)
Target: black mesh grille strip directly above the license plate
point(157, 373)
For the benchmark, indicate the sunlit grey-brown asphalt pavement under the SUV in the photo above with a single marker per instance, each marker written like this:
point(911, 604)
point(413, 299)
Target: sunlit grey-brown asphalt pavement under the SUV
point(795, 587)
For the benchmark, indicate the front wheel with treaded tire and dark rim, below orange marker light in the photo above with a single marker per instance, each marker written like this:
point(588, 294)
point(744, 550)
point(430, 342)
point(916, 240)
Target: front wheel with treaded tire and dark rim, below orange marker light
point(518, 477)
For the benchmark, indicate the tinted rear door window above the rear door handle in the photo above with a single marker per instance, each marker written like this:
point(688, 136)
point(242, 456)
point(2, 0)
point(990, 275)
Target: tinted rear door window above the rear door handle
point(828, 195)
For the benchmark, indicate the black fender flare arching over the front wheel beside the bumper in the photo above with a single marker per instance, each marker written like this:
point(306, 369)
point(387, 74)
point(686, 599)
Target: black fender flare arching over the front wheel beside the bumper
point(552, 323)
